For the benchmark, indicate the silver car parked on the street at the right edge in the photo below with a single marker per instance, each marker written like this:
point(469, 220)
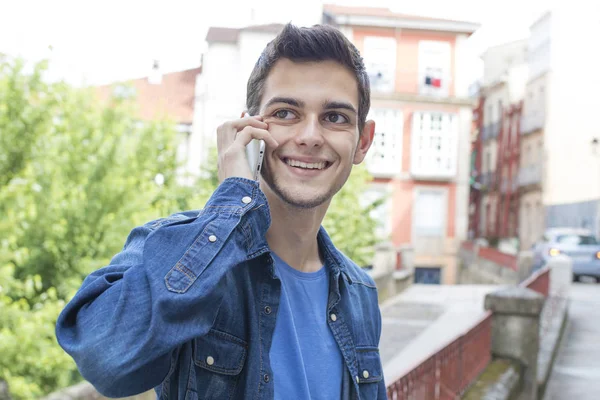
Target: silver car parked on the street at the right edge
point(579, 244)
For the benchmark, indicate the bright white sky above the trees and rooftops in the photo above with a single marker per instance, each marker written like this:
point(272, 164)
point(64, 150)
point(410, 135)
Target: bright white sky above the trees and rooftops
point(97, 42)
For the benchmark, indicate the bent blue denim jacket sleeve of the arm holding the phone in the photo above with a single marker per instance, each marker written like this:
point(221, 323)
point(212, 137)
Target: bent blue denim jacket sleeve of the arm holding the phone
point(160, 291)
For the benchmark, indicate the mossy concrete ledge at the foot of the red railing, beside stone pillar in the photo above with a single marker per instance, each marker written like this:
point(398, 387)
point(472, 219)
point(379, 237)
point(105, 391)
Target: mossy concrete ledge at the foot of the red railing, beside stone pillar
point(501, 380)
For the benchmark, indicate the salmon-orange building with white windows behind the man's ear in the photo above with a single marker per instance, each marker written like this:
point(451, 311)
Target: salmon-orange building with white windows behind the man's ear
point(423, 114)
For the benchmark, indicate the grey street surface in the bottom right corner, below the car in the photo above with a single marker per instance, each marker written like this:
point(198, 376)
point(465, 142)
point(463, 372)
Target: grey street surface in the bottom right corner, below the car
point(576, 372)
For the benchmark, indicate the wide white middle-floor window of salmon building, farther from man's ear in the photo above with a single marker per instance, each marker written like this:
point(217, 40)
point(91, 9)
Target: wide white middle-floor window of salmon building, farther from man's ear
point(434, 145)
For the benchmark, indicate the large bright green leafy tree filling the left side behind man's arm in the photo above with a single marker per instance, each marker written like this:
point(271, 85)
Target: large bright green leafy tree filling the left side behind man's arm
point(75, 177)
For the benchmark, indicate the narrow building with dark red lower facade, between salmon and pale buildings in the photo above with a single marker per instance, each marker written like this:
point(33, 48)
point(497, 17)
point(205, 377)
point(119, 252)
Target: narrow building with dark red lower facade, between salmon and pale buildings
point(494, 209)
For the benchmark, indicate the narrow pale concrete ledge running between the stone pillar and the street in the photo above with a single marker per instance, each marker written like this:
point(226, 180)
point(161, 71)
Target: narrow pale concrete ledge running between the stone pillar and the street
point(550, 340)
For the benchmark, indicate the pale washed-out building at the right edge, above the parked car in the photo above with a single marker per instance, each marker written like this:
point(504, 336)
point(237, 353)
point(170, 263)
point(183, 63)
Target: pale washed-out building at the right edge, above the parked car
point(560, 158)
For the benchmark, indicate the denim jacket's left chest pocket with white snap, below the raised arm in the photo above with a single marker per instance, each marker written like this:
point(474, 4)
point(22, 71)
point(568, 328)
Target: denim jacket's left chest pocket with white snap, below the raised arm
point(219, 359)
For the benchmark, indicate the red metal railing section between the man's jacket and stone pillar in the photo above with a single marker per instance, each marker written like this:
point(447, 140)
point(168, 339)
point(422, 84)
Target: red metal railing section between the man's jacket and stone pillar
point(450, 371)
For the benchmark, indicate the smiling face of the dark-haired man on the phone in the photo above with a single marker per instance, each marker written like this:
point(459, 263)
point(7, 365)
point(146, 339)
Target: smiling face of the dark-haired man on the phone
point(311, 109)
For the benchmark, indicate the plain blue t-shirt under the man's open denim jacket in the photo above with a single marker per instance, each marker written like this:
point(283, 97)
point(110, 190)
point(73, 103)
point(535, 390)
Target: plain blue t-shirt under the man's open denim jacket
point(305, 358)
